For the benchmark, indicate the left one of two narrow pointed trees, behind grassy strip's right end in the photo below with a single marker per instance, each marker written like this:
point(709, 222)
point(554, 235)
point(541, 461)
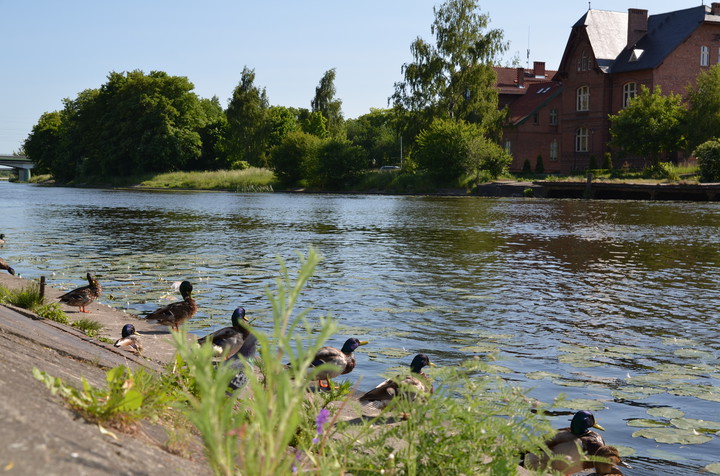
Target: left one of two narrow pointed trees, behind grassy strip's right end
point(247, 112)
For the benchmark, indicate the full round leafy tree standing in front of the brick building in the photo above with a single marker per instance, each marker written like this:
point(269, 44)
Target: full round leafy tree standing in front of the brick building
point(650, 126)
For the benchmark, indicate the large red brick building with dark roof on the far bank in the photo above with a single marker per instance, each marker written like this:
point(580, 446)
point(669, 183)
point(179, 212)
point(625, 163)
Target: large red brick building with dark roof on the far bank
point(608, 56)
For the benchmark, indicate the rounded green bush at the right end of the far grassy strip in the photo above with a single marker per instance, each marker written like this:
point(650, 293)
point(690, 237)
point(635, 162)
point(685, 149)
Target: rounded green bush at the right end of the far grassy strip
point(293, 159)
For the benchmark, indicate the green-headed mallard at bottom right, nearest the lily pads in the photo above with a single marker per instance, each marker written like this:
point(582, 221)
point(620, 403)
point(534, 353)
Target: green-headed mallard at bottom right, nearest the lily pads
point(567, 442)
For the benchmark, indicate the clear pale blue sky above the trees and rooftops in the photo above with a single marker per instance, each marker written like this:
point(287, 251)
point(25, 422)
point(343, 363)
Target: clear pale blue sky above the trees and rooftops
point(51, 50)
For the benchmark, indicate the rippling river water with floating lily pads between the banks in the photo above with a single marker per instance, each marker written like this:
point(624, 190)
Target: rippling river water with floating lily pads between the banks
point(611, 303)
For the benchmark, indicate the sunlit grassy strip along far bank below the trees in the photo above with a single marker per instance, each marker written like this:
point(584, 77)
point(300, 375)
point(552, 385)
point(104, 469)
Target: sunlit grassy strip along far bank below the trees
point(248, 180)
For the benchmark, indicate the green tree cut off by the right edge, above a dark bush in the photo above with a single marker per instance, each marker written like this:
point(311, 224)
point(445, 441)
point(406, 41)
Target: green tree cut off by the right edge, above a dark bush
point(702, 121)
